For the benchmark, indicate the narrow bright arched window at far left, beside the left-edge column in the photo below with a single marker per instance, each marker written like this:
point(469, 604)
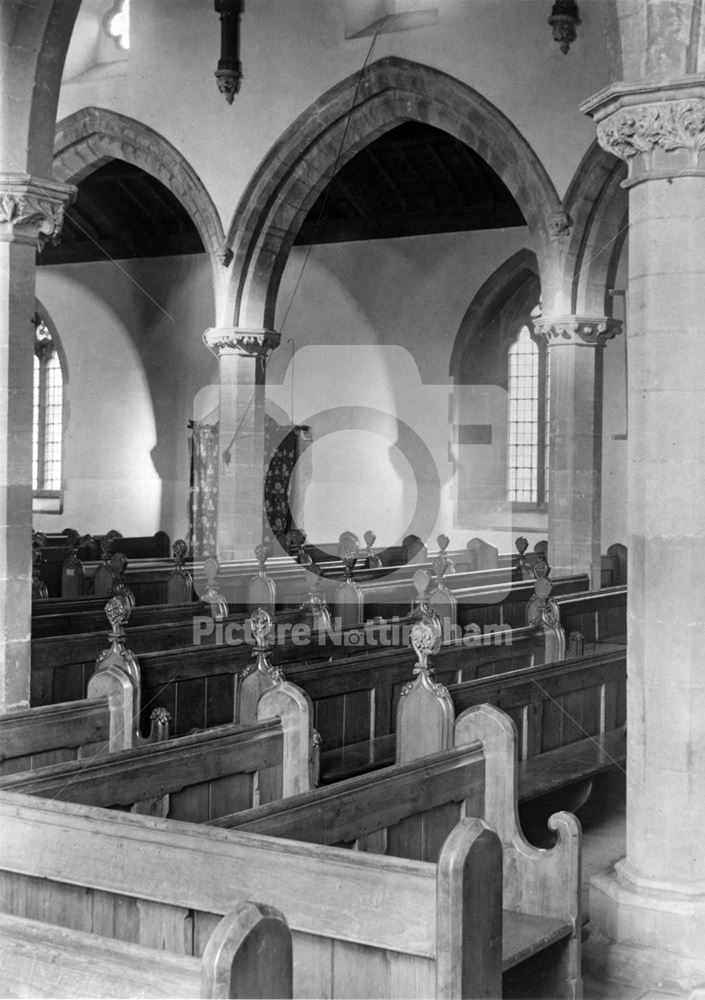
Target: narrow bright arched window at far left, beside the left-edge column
point(48, 417)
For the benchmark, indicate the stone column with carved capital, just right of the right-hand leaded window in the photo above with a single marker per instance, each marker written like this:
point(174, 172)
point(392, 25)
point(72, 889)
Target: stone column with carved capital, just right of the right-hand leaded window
point(575, 441)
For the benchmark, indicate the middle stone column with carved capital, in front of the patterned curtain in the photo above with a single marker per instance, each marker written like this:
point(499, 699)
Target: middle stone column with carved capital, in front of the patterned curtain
point(242, 358)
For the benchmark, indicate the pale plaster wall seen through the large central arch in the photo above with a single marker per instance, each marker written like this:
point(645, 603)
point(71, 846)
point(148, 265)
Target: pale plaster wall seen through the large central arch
point(371, 325)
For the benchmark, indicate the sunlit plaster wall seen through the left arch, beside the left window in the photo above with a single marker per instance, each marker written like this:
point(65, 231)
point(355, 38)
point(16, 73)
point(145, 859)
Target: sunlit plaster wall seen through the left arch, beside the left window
point(131, 333)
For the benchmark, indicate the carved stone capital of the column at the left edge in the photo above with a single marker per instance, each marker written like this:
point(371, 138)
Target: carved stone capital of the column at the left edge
point(32, 210)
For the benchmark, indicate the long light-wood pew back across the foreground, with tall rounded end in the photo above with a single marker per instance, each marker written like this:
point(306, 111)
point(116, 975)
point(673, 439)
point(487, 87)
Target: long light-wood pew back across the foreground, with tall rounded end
point(160, 883)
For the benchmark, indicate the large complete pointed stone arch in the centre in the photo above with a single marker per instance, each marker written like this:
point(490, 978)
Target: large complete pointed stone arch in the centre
point(387, 93)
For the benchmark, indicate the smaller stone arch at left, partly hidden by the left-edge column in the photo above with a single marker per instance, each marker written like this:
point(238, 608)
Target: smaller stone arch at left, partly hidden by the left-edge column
point(92, 136)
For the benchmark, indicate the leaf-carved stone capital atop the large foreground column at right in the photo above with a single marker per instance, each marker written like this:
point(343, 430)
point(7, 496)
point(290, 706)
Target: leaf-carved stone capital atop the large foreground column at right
point(658, 132)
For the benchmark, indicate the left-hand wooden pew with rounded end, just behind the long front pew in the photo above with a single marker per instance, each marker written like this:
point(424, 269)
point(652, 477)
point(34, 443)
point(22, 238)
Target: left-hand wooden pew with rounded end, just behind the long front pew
point(197, 777)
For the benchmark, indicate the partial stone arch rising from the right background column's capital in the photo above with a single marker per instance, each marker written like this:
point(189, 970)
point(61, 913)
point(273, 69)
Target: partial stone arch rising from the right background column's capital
point(598, 206)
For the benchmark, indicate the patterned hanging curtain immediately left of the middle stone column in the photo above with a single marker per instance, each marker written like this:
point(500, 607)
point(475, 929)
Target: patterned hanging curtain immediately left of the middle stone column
point(203, 506)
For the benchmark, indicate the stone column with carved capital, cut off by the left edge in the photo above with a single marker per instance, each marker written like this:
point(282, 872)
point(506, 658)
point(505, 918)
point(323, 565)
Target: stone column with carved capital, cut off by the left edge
point(31, 210)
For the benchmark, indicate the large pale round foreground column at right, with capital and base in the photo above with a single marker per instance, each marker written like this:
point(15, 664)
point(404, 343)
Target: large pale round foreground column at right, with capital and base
point(651, 908)
